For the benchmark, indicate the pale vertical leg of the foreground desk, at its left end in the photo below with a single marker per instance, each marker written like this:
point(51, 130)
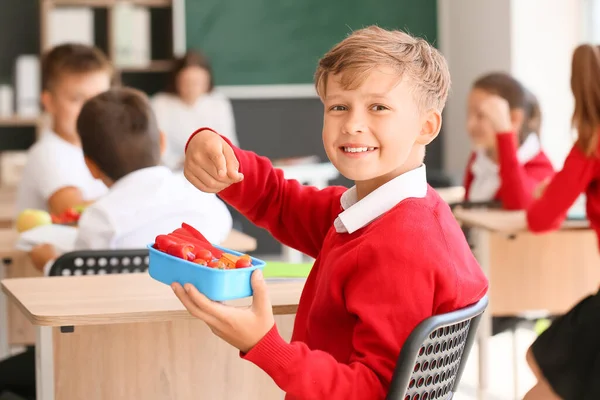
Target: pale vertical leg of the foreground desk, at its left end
point(44, 363)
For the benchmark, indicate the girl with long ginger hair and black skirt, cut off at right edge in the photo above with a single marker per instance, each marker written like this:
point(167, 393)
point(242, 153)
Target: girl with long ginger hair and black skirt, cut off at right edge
point(566, 357)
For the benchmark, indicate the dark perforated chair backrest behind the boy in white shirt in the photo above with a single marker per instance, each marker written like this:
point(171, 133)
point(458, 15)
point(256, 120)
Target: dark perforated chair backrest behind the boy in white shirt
point(100, 262)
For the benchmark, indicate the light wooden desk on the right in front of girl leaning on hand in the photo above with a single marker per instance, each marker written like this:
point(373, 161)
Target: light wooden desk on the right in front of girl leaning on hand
point(529, 272)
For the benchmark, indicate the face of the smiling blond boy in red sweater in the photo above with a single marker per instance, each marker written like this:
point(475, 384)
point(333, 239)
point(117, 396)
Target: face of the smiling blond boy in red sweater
point(376, 131)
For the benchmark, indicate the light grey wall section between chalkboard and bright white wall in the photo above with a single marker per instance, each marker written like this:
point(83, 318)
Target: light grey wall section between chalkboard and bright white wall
point(474, 39)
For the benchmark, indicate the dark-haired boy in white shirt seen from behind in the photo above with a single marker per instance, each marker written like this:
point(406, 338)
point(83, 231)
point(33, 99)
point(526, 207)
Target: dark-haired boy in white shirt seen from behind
point(122, 146)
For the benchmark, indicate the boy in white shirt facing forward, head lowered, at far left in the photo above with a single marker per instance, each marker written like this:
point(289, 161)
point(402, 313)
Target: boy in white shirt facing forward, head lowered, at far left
point(55, 177)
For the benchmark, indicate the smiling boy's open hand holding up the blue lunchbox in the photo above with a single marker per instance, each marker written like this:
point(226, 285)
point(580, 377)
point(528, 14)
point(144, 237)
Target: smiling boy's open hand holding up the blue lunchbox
point(242, 328)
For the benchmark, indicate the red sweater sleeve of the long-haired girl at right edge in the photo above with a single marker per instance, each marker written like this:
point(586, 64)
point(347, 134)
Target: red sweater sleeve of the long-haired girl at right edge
point(549, 211)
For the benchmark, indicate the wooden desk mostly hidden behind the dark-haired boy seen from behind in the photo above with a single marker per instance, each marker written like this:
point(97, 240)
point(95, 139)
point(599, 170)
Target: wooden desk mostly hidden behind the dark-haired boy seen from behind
point(15, 329)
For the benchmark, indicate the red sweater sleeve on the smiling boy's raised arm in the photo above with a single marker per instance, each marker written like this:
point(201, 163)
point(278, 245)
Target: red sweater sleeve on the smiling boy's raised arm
point(281, 206)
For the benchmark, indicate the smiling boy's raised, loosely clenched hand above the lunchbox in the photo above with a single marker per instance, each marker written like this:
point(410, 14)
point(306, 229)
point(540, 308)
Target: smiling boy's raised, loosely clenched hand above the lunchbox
point(210, 163)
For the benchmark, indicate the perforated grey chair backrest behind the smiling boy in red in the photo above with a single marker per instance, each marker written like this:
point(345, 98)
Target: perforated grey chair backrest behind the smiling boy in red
point(433, 357)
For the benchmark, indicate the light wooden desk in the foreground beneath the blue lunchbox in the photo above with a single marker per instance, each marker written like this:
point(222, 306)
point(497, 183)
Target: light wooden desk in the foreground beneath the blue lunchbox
point(128, 337)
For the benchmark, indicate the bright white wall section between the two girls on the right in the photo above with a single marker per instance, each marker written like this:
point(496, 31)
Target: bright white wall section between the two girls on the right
point(541, 57)
